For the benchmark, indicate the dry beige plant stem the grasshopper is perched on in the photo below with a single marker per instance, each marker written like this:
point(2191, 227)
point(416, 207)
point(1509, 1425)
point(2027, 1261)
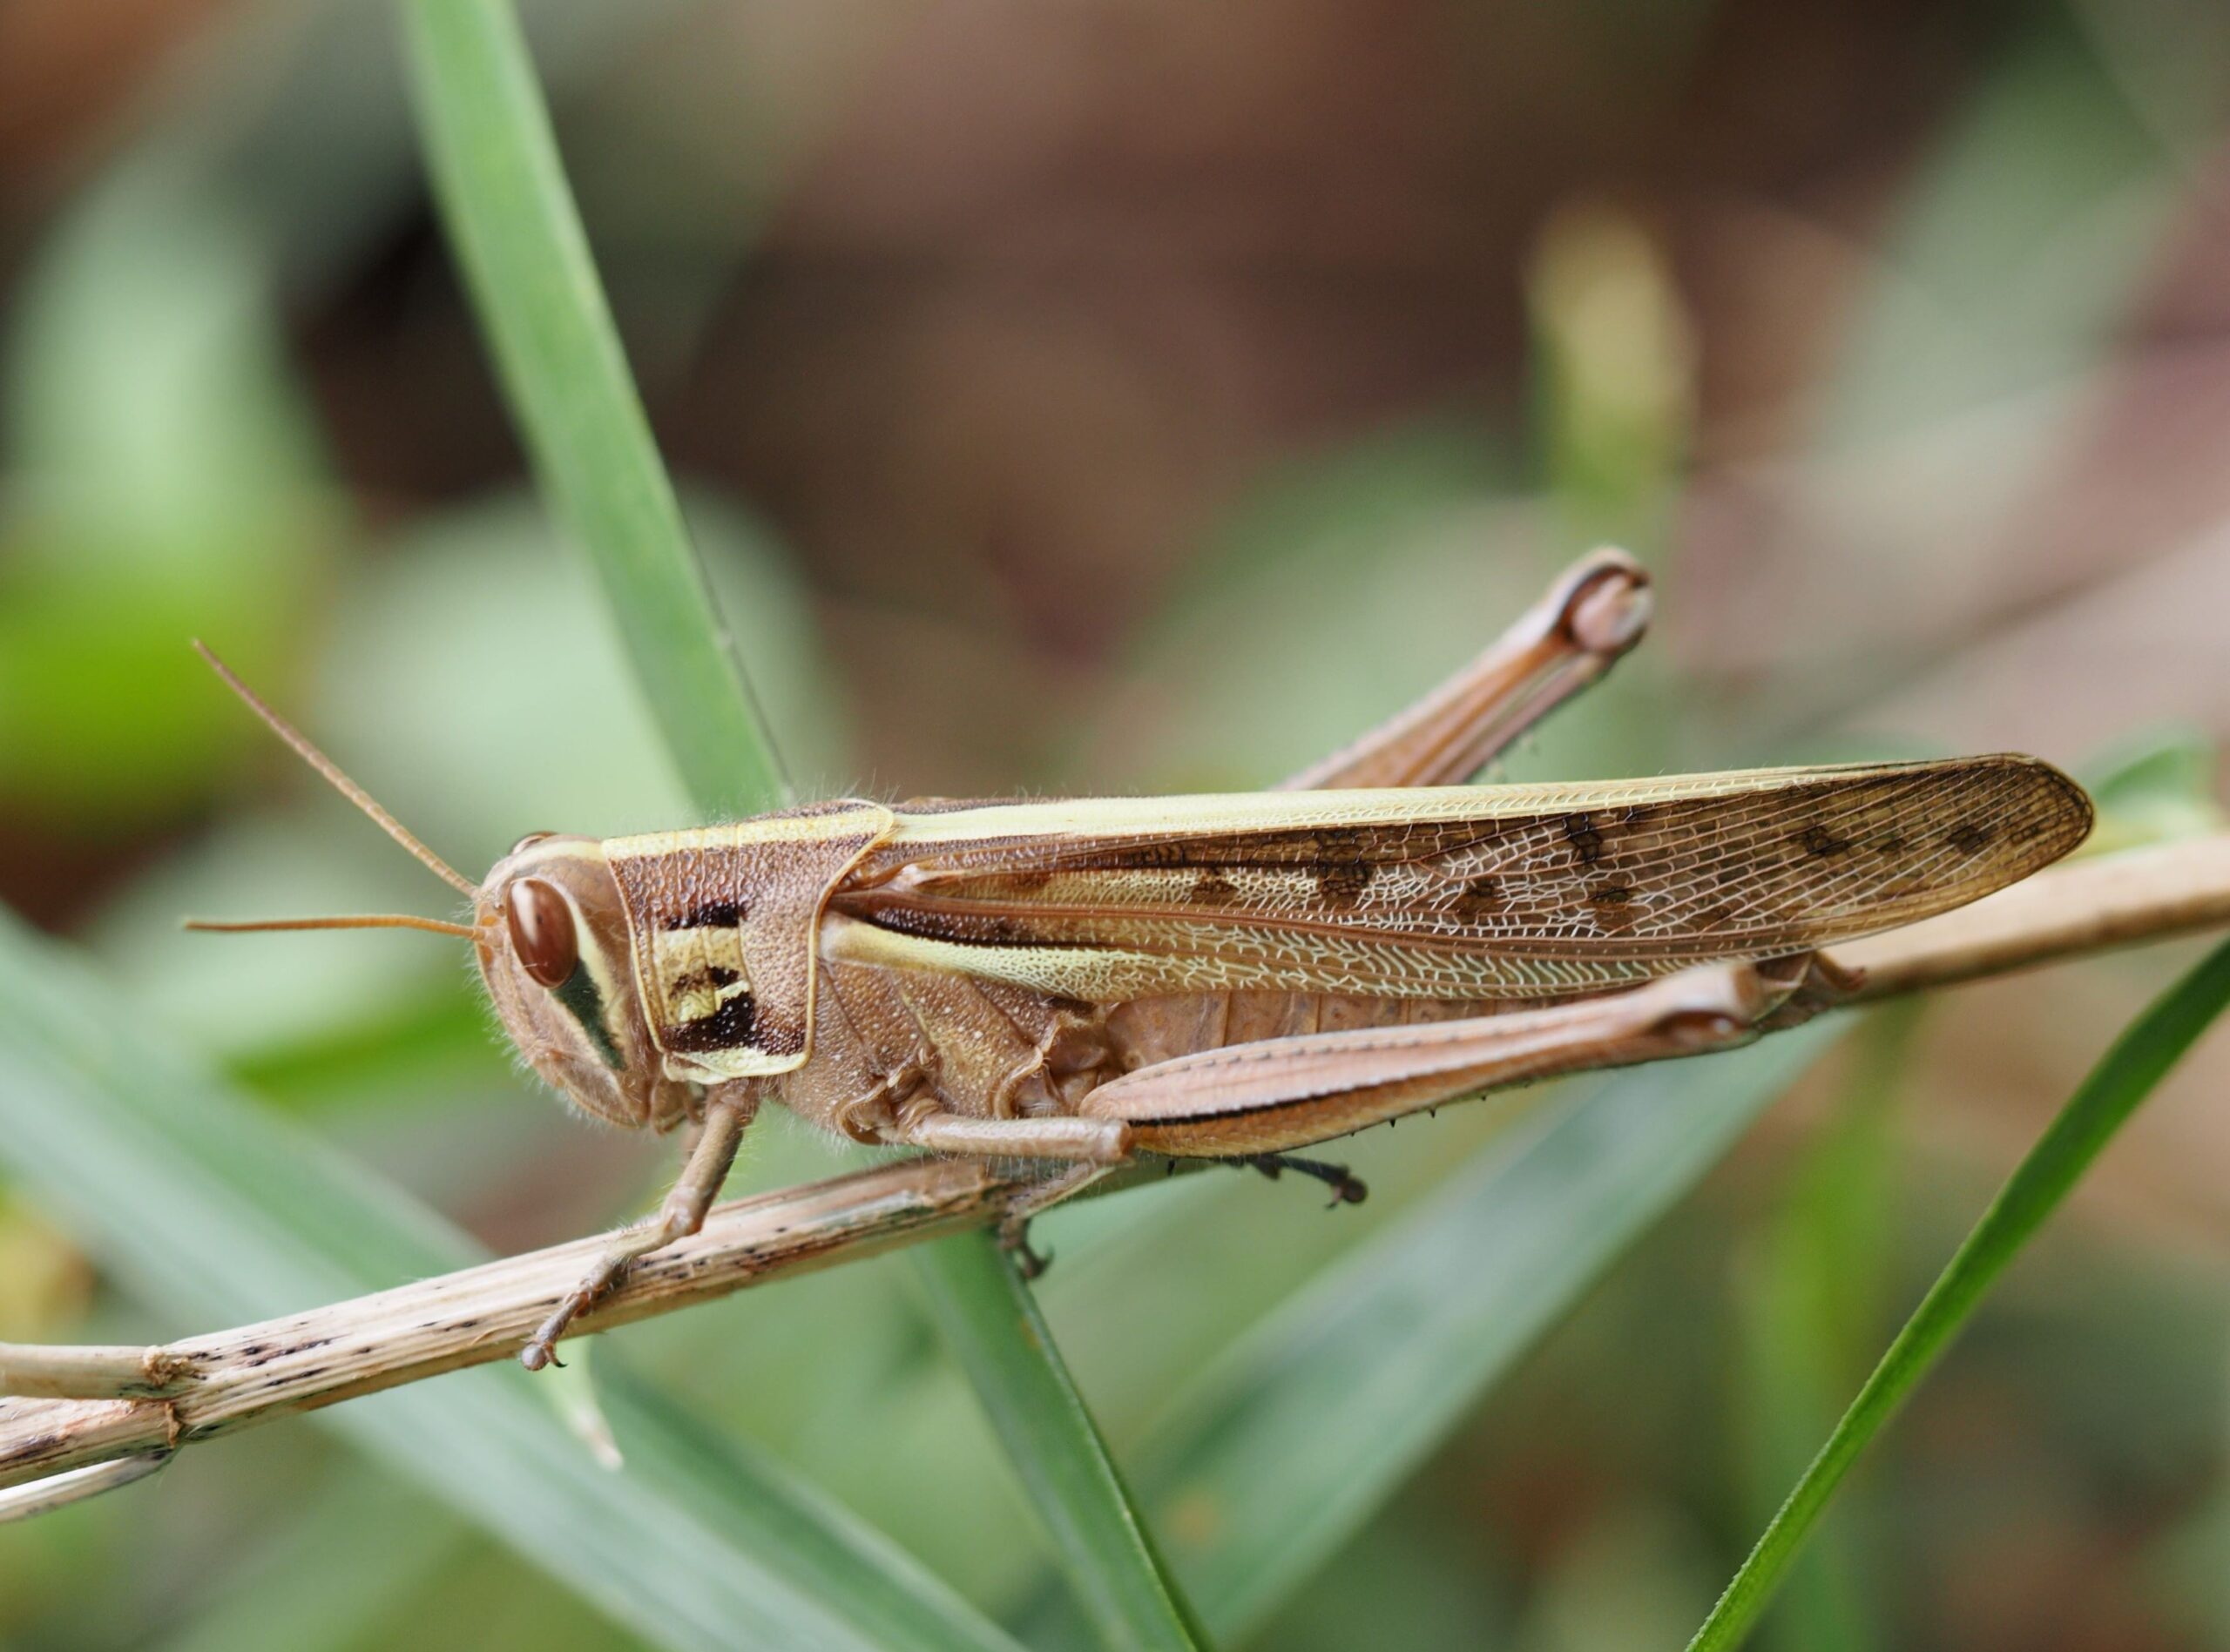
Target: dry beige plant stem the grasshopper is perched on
point(153, 1401)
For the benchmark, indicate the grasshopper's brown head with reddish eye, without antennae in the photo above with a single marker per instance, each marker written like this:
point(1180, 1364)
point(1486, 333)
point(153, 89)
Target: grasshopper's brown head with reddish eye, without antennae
point(552, 940)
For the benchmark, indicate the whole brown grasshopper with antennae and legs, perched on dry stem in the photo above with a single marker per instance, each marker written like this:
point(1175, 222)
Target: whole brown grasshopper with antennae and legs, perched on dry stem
point(1230, 978)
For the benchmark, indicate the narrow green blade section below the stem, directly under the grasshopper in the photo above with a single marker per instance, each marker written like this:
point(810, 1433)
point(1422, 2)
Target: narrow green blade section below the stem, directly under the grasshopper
point(993, 1328)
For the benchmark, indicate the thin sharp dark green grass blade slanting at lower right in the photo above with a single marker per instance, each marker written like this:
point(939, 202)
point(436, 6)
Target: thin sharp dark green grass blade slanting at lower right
point(2104, 1102)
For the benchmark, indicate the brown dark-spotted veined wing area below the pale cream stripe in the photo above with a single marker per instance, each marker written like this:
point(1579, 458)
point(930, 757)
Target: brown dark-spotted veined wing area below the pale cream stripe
point(1801, 859)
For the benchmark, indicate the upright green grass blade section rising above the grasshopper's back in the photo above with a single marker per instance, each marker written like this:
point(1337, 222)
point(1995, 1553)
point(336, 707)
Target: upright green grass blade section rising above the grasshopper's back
point(534, 284)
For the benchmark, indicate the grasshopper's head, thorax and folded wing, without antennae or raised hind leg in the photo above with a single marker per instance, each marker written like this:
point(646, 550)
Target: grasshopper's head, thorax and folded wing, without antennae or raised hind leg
point(889, 969)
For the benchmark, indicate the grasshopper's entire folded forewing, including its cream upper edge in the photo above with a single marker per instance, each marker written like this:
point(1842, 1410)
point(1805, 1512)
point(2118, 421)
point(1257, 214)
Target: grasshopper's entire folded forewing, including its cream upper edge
point(1455, 891)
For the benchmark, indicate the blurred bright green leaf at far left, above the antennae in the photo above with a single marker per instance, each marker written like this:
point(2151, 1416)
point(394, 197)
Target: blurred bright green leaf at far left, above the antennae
point(164, 480)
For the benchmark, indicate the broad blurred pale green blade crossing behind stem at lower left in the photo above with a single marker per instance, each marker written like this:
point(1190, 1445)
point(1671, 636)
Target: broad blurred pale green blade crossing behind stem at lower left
point(222, 1212)
